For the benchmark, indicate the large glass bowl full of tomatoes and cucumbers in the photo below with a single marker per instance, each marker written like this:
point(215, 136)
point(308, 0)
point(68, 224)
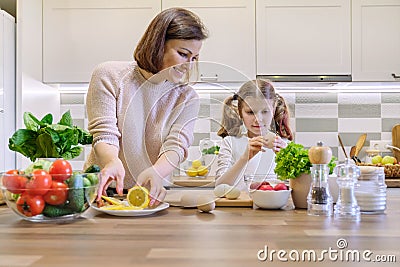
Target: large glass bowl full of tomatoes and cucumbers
point(41, 197)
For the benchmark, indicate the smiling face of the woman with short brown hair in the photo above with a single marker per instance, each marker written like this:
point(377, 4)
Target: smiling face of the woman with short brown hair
point(178, 56)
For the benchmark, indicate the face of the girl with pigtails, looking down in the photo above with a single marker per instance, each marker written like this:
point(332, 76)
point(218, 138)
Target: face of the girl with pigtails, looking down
point(257, 115)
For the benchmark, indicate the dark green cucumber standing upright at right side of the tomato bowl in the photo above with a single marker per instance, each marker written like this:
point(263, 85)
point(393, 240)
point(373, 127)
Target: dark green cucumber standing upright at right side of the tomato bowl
point(76, 196)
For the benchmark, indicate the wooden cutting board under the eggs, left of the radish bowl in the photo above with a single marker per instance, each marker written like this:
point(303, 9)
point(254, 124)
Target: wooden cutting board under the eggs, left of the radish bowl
point(174, 198)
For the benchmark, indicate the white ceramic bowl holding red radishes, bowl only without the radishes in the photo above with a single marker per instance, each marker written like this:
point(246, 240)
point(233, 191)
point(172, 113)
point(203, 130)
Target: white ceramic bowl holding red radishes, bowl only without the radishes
point(270, 199)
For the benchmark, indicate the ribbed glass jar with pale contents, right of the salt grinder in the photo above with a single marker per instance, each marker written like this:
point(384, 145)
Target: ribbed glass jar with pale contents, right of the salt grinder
point(370, 190)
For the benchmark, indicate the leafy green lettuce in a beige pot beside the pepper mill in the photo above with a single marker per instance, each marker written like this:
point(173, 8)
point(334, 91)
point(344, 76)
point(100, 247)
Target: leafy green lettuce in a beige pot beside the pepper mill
point(293, 164)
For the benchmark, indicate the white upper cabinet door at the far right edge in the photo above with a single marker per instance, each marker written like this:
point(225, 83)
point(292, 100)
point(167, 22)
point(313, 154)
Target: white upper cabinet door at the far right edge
point(376, 40)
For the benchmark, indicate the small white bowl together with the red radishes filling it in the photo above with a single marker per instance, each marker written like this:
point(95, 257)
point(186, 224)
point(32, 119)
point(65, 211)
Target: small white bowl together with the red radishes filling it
point(264, 196)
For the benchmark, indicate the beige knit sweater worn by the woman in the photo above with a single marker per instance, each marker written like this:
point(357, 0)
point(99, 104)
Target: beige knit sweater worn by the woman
point(142, 119)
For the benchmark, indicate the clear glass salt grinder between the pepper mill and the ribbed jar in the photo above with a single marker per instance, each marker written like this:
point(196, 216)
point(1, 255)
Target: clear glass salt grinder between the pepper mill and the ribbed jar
point(346, 207)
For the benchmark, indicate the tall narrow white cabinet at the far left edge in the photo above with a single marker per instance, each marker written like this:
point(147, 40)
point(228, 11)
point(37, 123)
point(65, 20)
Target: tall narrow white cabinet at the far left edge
point(7, 89)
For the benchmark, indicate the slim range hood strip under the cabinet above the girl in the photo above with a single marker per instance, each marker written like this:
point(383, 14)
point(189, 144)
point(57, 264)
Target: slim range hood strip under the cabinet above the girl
point(306, 78)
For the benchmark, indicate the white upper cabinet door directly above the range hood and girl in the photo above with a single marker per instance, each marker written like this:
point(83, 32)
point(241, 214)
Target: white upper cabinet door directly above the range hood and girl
point(303, 37)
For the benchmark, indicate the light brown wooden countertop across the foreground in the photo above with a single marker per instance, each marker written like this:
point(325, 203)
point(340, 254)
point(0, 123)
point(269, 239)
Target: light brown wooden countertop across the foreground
point(185, 237)
